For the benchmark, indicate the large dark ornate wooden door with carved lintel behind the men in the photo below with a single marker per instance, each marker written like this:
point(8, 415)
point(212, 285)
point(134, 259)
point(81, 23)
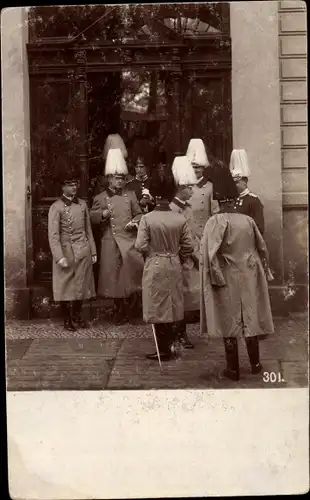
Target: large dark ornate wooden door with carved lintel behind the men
point(182, 53)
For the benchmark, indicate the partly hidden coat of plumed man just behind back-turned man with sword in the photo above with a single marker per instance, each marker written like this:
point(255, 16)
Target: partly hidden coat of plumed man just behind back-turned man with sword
point(191, 281)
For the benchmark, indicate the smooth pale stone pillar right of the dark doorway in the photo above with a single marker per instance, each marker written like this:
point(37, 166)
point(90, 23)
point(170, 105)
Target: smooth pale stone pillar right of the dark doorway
point(256, 116)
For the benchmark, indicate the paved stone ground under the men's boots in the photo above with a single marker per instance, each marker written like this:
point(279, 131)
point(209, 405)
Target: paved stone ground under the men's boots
point(42, 356)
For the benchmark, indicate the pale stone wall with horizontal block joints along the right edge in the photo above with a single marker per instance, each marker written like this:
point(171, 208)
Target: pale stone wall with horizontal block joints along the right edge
point(294, 144)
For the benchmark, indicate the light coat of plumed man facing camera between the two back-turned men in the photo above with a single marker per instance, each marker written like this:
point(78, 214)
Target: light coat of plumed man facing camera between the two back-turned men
point(202, 204)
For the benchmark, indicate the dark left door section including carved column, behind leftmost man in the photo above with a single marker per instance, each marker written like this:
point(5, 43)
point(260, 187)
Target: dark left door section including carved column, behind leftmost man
point(58, 142)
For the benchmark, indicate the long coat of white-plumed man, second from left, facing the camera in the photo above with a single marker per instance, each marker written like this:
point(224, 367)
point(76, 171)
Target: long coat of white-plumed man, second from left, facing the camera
point(121, 265)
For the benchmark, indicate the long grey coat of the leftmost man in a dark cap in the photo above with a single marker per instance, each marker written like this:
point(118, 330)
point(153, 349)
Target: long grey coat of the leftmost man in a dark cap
point(70, 236)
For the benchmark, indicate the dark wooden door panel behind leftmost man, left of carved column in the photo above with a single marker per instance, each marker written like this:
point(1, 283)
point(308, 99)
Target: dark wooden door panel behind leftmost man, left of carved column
point(52, 152)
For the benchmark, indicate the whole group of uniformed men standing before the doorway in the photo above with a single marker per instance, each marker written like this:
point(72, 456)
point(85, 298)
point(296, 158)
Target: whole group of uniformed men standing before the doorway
point(169, 237)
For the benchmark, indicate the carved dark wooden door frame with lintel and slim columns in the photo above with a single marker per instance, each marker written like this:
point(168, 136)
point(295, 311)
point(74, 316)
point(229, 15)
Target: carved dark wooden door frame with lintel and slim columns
point(73, 60)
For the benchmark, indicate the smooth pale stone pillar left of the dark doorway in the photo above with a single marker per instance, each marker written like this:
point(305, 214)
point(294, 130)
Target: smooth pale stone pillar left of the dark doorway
point(16, 159)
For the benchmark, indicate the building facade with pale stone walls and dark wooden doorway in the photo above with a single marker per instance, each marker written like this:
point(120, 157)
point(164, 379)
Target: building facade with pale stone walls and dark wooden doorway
point(243, 70)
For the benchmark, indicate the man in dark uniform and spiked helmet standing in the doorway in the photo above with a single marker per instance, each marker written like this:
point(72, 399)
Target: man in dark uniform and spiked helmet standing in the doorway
point(141, 186)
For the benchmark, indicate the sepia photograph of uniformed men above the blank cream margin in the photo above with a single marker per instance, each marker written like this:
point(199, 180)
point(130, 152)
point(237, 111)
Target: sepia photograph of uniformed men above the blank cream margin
point(155, 173)
